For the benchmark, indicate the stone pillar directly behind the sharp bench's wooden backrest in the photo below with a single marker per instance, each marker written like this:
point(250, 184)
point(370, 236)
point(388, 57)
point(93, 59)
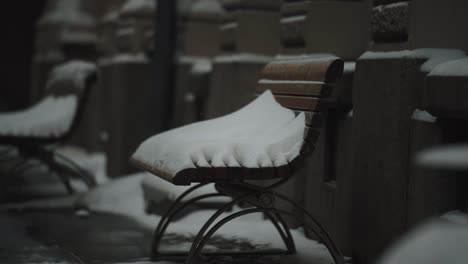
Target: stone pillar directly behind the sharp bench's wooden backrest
point(342, 28)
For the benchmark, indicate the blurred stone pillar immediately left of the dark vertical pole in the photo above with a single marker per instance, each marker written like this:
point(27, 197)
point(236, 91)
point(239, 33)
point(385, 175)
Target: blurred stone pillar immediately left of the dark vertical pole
point(128, 82)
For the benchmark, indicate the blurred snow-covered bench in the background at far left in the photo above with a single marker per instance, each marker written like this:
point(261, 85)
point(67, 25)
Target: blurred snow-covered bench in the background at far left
point(36, 130)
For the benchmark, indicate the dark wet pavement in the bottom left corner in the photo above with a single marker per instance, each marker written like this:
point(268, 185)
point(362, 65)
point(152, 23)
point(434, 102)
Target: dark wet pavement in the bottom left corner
point(64, 237)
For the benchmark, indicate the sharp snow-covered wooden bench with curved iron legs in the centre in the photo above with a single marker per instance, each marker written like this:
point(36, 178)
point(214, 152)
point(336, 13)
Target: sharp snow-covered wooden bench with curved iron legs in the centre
point(265, 140)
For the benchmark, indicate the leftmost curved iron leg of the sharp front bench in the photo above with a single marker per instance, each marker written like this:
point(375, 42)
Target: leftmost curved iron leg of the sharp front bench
point(162, 227)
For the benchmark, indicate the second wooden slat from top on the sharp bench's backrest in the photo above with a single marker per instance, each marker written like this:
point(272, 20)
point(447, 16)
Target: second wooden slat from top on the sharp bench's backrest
point(295, 88)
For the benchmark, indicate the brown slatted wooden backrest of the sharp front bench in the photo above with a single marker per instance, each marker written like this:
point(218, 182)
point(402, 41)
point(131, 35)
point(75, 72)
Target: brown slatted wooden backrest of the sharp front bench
point(304, 85)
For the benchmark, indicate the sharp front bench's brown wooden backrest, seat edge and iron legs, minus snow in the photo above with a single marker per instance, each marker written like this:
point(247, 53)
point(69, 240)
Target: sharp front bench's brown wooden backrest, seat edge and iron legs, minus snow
point(311, 97)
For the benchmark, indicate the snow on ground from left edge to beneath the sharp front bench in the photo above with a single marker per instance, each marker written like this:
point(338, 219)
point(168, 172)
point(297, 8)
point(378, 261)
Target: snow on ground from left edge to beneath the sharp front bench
point(125, 196)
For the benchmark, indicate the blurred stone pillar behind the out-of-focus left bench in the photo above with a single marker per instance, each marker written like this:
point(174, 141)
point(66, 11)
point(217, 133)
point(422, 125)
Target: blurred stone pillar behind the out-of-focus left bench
point(67, 31)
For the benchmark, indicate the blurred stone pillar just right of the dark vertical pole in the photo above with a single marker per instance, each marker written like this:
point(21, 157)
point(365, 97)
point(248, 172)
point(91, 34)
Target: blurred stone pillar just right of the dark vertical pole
point(199, 42)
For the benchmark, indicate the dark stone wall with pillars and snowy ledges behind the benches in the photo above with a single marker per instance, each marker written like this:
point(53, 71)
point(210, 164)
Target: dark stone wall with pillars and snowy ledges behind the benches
point(167, 63)
